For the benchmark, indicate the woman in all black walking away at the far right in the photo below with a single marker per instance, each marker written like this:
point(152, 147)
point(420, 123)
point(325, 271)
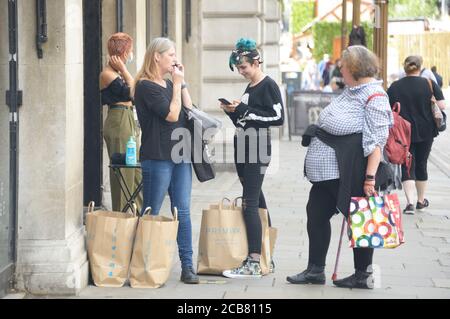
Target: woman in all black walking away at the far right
point(414, 94)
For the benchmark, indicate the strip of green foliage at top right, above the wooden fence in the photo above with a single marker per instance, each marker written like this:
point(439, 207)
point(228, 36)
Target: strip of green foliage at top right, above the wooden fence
point(413, 8)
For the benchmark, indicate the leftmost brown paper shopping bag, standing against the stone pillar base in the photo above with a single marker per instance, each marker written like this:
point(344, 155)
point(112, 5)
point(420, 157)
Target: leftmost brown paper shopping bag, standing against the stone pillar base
point(110, 238)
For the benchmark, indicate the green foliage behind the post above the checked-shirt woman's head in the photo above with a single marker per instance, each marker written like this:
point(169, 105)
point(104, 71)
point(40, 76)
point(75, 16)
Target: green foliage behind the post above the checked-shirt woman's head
point(325, 32)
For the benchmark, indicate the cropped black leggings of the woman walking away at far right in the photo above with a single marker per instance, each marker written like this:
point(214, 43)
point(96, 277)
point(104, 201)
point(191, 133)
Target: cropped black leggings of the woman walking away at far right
point(420, 152)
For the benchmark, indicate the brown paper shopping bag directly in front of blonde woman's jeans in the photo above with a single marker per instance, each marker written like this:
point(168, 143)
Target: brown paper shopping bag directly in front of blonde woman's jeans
point(155, 244)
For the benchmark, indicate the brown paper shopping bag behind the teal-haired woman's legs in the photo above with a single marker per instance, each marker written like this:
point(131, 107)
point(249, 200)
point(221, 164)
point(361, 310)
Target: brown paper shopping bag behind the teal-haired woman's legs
point(223, 239)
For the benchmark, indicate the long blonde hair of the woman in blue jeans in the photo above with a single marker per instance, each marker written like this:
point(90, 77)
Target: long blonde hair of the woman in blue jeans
point(149, 67)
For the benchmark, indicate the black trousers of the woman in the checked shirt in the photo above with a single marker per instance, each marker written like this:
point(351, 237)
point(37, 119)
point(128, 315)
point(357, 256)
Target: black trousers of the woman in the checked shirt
point(320, 208)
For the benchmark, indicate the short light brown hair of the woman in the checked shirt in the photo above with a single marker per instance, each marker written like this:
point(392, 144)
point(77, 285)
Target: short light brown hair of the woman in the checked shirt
point(360, 61)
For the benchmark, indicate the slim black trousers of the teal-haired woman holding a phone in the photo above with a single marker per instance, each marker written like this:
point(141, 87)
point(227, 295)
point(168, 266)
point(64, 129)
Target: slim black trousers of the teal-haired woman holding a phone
point(251, 174)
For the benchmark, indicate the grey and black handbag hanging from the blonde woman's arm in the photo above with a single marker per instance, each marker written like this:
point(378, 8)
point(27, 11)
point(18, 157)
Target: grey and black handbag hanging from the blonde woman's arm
point(202, 161)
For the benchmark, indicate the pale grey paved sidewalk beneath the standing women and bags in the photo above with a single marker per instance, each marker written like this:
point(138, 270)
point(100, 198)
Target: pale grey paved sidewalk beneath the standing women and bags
point(418, 269)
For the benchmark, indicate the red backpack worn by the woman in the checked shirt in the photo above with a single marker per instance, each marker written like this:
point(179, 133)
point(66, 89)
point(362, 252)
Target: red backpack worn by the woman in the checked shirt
point(399, 139)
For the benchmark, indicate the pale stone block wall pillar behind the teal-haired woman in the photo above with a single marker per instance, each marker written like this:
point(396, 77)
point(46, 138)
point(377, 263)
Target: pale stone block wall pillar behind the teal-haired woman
point(223, 23)
